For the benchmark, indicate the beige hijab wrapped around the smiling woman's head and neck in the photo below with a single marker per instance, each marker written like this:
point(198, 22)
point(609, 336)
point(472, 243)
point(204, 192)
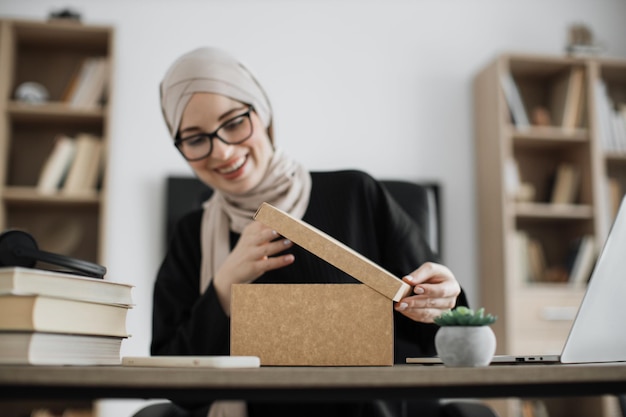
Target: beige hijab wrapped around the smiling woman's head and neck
point(286, 184)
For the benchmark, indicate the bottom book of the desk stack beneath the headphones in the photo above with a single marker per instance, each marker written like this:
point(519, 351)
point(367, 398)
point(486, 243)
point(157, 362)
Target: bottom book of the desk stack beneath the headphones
point(38, 348)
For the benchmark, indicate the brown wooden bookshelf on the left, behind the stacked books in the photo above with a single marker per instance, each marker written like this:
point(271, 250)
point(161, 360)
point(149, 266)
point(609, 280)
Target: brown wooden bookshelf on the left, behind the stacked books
point(52, 54)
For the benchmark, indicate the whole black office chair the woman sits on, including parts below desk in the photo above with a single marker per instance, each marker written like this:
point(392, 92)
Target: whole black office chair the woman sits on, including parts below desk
point(420, 200)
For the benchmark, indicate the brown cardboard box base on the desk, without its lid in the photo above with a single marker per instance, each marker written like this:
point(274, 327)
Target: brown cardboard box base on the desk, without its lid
point(312, 324)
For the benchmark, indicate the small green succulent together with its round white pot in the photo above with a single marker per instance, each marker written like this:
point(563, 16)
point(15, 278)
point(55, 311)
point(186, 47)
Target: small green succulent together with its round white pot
point(465, 338)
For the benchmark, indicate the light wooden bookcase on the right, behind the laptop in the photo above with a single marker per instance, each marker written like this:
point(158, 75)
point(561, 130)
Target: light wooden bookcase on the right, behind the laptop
point(525, 133)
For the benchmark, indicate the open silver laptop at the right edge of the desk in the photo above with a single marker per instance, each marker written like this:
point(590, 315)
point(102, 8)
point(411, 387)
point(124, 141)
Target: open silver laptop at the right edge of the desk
point(597, 333)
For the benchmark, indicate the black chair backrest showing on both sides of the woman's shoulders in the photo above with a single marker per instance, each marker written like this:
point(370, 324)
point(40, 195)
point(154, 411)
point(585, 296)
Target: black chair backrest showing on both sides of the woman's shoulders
point(419, 200)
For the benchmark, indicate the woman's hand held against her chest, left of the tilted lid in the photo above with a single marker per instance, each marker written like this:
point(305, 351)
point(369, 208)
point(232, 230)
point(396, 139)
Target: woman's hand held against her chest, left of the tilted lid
point(252, 257)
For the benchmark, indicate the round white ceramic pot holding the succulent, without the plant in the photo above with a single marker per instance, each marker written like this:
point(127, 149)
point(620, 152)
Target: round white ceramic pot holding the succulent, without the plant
point(465, 345)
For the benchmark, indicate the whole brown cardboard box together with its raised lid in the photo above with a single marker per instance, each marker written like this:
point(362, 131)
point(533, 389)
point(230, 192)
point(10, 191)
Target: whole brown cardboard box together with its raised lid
point(309, 324)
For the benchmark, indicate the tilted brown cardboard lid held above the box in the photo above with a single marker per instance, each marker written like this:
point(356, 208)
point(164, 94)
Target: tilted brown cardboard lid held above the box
point(334, 252)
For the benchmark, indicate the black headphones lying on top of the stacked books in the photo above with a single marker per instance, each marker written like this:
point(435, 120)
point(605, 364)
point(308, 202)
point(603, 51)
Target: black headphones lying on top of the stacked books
point(18, 248)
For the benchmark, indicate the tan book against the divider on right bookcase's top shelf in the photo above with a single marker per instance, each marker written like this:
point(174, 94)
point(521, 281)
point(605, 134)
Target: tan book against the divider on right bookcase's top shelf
point(566, 99)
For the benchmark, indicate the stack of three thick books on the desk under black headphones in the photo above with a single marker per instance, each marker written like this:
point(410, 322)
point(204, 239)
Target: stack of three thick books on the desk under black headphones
point(58, 318)
